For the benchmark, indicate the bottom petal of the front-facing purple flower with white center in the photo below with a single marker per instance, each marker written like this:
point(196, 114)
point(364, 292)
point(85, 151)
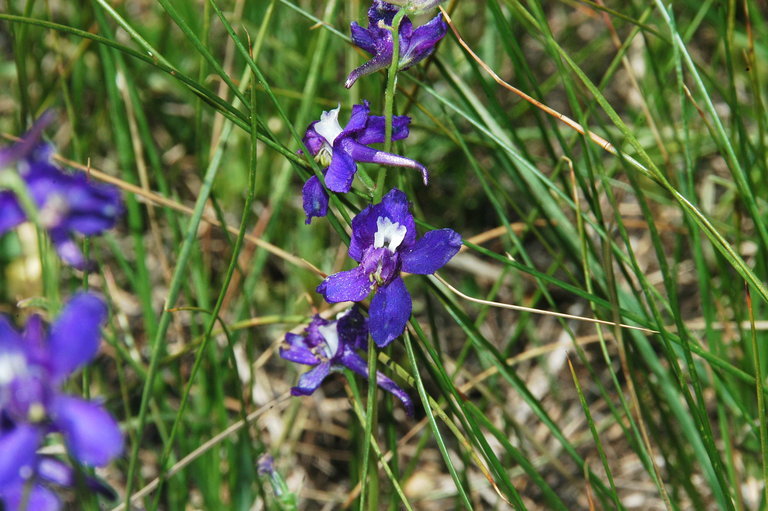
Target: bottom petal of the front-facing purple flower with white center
point(389, 312)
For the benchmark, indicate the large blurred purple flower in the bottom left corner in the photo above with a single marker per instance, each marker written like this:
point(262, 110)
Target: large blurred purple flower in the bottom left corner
point(33, 366)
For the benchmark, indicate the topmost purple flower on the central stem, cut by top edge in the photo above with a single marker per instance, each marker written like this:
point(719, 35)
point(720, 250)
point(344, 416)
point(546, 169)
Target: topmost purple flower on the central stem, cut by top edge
point(415, 44)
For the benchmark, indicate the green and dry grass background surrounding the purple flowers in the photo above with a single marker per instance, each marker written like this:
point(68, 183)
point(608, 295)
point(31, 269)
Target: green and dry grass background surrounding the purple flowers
point(657, 221)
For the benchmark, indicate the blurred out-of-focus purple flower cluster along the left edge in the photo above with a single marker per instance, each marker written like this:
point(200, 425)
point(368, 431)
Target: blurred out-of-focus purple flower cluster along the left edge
point(35, 363)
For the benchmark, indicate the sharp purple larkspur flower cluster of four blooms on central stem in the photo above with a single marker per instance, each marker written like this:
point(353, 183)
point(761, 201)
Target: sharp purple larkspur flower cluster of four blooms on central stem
point(384, 238)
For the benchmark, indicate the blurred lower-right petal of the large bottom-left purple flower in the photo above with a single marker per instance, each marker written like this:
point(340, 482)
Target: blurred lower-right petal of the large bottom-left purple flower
point(92, 435)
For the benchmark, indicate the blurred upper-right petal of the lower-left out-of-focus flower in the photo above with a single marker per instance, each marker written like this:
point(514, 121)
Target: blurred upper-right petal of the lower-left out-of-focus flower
point(76, 334)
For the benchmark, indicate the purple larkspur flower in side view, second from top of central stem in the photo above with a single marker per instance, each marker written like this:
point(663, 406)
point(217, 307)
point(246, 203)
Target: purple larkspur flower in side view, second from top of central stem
point(339, 150)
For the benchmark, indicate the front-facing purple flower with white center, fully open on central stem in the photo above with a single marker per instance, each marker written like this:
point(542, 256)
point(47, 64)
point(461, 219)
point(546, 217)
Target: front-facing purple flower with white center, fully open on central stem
point(384, 243)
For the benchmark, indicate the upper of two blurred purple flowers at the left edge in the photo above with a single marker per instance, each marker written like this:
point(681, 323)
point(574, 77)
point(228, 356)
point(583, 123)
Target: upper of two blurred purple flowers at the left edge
point(66, 203)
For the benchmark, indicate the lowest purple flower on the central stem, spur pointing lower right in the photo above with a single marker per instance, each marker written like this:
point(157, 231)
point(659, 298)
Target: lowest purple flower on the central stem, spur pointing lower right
point(332, 346)
